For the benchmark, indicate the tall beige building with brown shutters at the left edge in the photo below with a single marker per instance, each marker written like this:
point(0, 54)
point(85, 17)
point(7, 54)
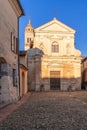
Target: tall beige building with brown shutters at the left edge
point(10, 11)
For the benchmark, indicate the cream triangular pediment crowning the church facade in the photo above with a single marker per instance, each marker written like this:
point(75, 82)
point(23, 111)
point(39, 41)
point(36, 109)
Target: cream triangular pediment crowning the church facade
point(55, 25)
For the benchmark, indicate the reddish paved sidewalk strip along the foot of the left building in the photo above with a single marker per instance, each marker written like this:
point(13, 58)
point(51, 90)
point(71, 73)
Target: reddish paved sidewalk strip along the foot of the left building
point(7, 109)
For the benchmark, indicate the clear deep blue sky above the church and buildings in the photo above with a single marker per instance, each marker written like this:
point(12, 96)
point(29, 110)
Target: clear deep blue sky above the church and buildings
point(71, 12)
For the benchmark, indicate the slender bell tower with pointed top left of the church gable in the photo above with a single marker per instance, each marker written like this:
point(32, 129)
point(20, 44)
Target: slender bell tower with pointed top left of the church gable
point(29, 36)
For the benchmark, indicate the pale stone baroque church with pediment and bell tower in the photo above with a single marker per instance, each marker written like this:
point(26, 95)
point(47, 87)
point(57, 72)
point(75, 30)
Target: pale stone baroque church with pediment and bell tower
point(53, 61)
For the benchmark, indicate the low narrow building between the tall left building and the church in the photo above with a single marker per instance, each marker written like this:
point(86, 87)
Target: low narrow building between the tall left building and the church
point(23, 73)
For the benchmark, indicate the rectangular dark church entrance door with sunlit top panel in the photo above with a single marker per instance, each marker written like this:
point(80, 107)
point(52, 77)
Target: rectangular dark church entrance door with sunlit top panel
point(55, 80)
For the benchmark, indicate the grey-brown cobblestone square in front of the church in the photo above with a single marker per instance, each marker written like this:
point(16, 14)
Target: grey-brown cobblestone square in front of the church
point(50, 111)
